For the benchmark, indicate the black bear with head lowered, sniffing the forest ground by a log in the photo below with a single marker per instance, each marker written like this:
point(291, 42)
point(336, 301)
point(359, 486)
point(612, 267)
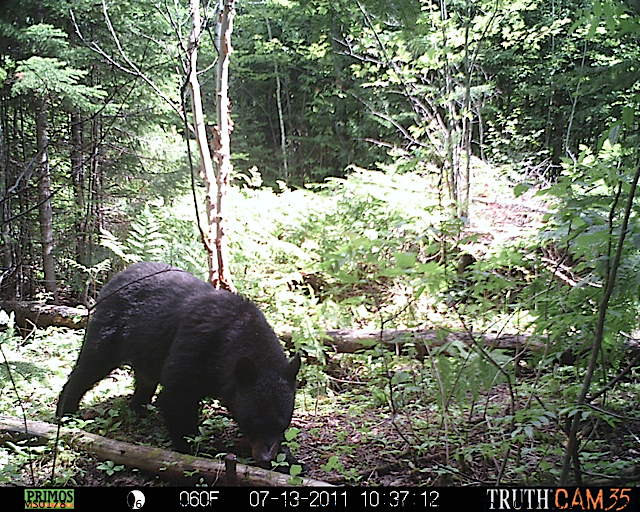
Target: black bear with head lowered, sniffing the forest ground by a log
point(172, 328)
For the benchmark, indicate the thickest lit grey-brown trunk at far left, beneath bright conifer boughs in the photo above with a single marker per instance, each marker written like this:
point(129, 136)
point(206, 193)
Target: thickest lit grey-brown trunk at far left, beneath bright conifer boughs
point(45, 209)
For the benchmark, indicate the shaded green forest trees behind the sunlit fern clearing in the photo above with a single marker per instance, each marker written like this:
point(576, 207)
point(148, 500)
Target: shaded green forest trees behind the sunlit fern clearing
point(318, 88)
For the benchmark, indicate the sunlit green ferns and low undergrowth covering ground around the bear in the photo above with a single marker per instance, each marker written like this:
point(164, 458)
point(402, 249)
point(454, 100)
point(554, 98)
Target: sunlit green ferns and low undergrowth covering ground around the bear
point(376, 250)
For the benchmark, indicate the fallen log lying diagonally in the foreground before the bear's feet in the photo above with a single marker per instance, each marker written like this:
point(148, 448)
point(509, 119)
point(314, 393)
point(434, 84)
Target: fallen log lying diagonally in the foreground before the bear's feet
point(175, 467)
